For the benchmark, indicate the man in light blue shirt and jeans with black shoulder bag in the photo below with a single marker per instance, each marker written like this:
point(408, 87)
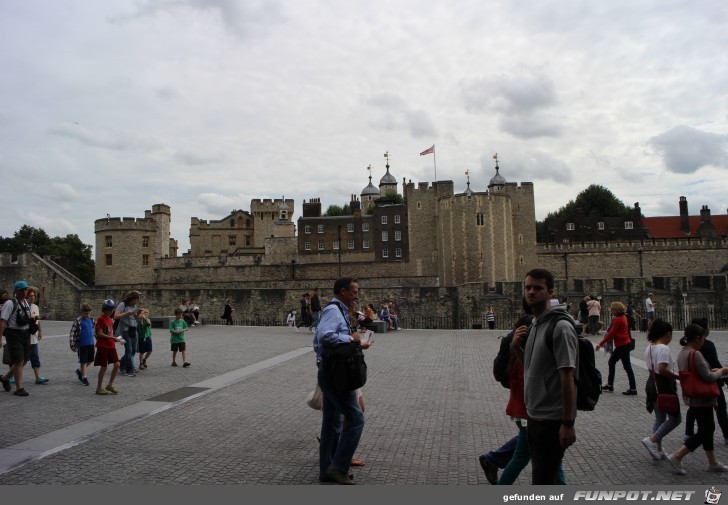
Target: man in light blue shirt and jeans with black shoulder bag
point(338, 443)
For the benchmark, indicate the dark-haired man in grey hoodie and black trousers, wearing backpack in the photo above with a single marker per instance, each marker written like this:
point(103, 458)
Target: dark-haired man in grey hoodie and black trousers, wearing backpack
point(549, 389)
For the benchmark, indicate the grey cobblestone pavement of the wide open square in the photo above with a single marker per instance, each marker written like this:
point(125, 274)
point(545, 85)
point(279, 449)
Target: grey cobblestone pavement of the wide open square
point(432, 407)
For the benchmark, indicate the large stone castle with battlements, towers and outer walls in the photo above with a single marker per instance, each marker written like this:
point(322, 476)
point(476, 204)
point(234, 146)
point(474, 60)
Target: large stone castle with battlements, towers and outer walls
point(434, 252)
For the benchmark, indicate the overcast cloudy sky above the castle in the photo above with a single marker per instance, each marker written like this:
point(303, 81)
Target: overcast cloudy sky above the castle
point(109, 107)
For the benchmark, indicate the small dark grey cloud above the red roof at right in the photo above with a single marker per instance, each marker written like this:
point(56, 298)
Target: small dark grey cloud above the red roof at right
point(685, 149)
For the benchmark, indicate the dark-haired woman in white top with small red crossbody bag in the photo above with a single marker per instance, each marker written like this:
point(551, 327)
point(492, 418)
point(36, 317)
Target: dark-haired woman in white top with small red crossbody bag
point(662, 380)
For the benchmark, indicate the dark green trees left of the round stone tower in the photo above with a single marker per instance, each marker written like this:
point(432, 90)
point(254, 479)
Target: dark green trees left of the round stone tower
point(69, 251)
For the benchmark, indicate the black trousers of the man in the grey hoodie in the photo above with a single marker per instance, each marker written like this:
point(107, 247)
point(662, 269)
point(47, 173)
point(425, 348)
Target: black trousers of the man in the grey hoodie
point(546, 451)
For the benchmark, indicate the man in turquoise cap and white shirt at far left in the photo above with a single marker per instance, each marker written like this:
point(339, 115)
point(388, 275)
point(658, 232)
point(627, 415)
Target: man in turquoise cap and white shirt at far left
point(15, 321)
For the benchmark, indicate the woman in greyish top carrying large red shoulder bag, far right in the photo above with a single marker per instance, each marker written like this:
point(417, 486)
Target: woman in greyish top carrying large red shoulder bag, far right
point(690, 359)
